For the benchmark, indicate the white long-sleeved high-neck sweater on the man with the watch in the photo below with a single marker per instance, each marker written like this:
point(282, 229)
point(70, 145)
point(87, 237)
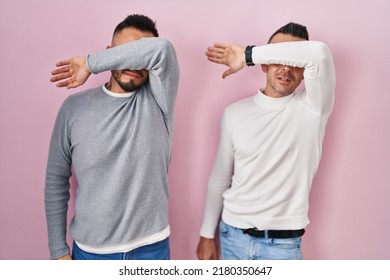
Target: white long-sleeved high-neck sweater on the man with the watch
point(270, 148)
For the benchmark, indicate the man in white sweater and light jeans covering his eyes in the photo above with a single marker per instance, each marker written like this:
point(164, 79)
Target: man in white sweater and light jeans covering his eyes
point(270, 148)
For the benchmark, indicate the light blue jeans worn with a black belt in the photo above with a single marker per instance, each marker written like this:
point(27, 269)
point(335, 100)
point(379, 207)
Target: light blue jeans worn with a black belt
point(236, 245)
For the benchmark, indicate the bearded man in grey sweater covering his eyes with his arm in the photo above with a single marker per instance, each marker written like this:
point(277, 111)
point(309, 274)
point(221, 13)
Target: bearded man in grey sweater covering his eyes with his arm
point(117, 140)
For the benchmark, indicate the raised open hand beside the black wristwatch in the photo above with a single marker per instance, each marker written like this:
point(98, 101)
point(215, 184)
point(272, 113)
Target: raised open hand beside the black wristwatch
point(232, 56)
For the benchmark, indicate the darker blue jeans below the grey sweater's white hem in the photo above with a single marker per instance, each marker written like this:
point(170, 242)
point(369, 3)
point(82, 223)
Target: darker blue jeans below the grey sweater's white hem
point(156, 251)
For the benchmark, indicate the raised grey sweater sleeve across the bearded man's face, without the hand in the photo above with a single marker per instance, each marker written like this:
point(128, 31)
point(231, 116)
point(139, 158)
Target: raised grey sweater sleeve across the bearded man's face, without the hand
point(157, 55)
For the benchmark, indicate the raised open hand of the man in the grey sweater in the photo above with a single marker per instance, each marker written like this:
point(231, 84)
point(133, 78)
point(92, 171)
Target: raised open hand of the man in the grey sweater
point(72, 72)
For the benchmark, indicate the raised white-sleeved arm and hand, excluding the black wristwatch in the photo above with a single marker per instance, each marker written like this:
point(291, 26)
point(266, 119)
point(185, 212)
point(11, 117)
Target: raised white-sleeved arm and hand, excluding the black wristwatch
point(314, 56)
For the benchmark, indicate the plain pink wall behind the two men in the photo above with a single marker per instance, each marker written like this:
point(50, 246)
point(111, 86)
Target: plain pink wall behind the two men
point(350, 196)
